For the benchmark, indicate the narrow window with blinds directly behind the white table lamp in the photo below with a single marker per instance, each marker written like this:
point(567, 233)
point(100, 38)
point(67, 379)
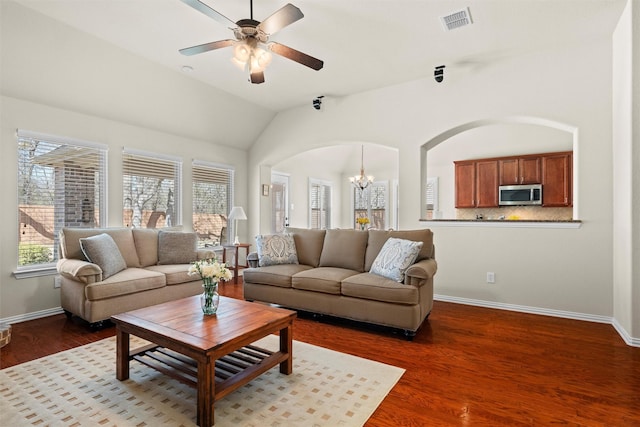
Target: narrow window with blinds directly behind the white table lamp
point(212, 201)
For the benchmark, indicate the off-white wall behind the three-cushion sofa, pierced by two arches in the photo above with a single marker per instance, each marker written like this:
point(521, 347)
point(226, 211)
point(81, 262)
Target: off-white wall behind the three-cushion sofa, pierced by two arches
point(557, 269)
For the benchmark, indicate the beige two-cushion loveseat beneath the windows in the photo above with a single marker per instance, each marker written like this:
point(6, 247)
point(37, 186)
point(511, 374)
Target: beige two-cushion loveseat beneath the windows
point(155, 270)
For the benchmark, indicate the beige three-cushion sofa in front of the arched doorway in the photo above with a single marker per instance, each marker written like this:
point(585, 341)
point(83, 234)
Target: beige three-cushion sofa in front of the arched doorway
point(332, 276)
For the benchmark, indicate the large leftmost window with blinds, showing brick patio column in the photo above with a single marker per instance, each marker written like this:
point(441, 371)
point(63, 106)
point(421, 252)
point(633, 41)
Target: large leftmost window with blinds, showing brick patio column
point(61, 183)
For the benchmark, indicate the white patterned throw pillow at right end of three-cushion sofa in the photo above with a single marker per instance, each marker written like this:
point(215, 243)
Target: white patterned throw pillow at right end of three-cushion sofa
point(395, 257)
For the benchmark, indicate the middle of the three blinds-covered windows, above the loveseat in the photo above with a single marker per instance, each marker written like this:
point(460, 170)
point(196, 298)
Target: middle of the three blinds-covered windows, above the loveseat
point(151, 190)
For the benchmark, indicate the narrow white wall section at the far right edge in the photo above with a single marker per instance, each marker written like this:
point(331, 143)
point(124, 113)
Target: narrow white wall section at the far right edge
point(626, 158)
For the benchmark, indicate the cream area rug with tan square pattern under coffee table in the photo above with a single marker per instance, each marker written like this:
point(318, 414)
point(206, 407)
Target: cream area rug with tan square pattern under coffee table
point(78, 387)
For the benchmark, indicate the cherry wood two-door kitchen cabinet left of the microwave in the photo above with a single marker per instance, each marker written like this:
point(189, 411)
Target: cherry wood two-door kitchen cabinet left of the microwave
point(476, 184)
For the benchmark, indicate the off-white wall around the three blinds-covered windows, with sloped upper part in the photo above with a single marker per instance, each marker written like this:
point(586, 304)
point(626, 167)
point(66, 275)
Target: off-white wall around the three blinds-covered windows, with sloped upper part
point(58, 81)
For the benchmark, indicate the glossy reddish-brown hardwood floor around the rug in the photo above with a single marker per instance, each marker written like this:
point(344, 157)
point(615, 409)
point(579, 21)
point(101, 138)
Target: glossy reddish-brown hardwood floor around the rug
point(467, 366)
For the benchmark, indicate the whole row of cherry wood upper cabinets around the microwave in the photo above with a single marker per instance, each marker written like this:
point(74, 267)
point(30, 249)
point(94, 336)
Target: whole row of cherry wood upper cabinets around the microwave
point(477, 181)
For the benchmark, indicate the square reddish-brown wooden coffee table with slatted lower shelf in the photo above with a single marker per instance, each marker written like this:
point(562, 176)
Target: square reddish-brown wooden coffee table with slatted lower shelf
point(213, 353)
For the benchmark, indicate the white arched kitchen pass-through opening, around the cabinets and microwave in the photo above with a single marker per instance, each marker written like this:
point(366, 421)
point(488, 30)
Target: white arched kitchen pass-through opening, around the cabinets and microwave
point(488, 138)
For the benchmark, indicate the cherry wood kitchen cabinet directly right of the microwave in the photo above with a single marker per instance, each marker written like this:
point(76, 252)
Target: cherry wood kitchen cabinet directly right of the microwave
point(557, 179)
